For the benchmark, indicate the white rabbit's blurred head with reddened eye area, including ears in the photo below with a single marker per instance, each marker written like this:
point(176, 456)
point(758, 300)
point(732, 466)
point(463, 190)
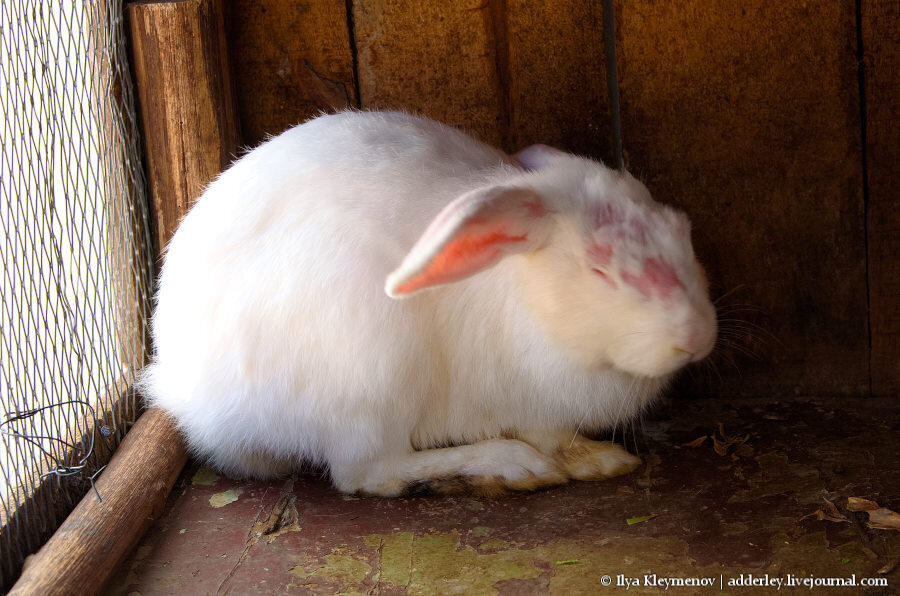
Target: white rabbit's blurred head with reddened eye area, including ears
point(609, 274)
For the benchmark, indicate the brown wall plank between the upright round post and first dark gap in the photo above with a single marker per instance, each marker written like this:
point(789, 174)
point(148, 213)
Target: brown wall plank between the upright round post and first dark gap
point(292, 61)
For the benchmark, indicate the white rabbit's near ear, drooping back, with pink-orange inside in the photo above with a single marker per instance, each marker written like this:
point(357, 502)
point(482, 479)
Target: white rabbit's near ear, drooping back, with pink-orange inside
point(471, 234)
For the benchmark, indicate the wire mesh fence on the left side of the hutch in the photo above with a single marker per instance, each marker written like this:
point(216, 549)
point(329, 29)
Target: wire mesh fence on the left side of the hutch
point(76, 260)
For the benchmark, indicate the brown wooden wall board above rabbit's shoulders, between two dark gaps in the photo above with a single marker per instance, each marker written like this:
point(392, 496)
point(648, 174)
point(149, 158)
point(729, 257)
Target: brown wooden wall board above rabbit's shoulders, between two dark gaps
point(513, 72)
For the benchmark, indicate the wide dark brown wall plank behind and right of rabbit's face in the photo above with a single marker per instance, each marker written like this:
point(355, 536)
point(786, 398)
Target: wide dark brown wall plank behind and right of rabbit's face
point(746, 114)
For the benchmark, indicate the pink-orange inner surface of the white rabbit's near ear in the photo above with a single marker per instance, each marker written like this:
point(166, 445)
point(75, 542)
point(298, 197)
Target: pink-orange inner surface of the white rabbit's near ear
point(466, 254)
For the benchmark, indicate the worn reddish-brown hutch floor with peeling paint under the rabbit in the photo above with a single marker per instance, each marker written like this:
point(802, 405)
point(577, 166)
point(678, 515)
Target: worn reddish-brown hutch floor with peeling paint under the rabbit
point(726, 512)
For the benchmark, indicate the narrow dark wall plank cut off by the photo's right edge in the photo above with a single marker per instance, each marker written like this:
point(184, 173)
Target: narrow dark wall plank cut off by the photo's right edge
point(881, 43)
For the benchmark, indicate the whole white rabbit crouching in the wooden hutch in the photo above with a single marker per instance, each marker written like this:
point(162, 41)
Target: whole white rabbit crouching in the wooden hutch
point(525, 298)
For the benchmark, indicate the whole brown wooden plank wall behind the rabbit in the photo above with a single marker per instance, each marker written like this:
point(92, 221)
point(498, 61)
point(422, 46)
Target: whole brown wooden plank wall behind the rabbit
point(745, 114)
